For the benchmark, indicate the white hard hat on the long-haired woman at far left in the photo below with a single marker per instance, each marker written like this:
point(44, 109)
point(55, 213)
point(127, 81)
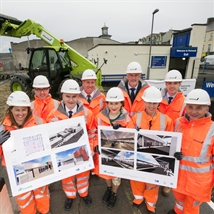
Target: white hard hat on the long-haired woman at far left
point(18, 98)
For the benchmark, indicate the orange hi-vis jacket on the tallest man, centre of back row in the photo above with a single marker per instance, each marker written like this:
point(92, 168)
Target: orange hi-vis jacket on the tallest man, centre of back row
point(138, 104)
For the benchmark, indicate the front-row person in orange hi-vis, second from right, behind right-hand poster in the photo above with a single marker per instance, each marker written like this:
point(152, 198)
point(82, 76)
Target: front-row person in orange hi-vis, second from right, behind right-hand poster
point(150, 119)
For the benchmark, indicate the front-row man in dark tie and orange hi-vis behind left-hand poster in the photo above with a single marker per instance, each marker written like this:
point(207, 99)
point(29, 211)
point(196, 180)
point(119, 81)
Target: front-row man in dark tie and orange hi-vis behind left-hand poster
point(69, 107)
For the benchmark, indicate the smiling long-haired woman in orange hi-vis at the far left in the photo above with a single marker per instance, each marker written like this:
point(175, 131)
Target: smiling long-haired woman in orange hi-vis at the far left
point(18, 116)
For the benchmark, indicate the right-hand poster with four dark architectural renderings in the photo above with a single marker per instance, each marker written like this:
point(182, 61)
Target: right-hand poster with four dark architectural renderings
point(143, 155)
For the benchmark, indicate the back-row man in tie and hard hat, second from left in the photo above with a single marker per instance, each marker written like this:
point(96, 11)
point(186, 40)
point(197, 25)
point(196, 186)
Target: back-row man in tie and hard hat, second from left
point(90, 95)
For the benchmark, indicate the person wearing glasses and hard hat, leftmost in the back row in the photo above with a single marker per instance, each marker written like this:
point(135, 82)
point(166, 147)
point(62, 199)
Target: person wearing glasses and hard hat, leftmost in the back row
point(43, 102)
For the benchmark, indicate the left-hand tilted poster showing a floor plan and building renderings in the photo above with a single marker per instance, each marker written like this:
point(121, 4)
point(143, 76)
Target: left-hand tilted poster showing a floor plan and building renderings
point(43, 154)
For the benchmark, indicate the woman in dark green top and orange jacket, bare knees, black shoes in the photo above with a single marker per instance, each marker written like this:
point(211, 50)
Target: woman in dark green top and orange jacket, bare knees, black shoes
point(116, 116)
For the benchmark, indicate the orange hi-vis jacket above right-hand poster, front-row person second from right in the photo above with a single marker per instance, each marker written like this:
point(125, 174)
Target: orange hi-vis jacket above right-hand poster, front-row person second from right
point(160, 122)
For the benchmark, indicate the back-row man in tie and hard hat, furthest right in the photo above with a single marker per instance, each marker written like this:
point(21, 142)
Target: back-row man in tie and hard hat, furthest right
point(172, 103)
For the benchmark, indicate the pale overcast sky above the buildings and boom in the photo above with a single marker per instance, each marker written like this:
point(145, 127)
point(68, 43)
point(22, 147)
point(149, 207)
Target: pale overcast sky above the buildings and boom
point(127, 20)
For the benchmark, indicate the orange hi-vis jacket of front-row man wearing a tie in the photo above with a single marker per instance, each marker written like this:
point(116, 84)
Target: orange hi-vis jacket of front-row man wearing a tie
point(60, 114)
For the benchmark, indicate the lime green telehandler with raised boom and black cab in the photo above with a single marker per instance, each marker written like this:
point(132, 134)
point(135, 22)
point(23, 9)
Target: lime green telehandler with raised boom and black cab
point(57, 62)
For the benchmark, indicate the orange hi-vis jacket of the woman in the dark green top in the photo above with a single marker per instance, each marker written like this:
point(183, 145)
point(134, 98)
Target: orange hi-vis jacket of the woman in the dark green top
point(102, 119)
